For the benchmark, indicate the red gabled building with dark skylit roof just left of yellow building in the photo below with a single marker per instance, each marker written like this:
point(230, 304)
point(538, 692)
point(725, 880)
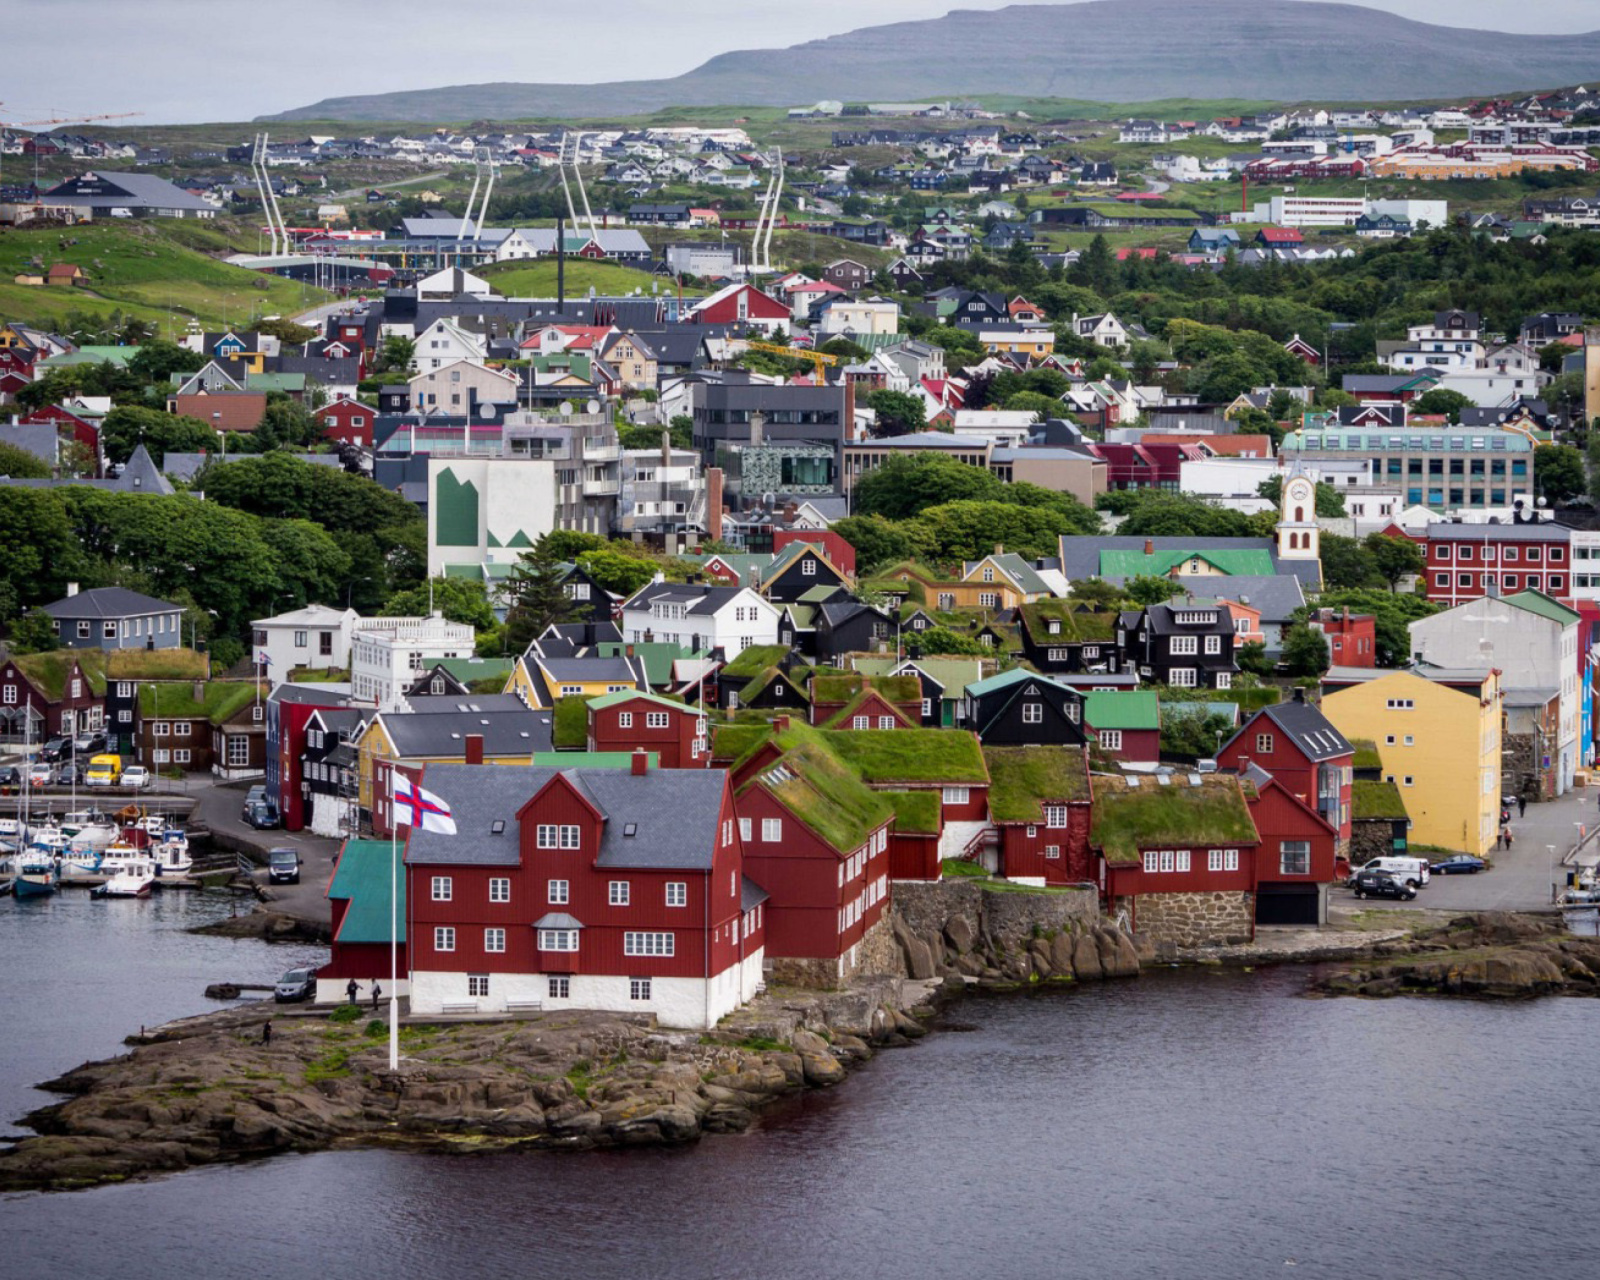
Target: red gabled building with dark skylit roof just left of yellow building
point(1300, 746)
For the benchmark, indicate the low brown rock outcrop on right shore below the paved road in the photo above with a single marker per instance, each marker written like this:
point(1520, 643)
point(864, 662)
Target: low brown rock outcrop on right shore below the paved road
point(1498, 956)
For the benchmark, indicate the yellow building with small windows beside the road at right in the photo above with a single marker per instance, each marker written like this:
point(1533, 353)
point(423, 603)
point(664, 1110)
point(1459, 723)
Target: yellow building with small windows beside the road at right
point(1439, 738)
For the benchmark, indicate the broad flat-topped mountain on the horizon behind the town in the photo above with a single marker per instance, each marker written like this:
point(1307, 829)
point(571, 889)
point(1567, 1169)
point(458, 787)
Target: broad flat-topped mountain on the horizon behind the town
point(1108, 50)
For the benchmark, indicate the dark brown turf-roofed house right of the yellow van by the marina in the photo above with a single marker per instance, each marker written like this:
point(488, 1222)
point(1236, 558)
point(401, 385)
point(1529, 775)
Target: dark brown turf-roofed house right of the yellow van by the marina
point(202, 727)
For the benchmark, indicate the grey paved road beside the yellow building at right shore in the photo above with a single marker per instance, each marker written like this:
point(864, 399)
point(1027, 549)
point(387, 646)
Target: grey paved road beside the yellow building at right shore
point(1522, 876)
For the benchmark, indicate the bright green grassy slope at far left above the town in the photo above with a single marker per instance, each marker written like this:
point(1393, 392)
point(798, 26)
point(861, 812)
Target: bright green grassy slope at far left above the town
point(158, 271)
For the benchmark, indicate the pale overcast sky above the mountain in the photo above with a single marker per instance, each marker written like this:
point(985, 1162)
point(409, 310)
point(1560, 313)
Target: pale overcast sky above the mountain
point(190, 60)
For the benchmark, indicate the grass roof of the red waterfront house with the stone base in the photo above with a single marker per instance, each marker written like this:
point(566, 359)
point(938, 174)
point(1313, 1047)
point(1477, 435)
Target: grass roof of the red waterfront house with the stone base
point(1150, 815)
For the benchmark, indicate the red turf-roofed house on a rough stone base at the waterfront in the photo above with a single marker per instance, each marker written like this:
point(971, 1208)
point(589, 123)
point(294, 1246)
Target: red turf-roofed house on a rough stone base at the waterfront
point(1178, 854)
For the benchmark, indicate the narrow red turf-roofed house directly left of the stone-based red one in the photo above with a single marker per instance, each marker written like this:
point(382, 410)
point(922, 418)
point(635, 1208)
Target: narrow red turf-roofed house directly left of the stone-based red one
point(1039, 804)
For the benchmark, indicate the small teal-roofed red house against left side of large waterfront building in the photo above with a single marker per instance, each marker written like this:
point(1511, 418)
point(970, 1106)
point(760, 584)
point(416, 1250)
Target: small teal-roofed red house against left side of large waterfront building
point(369, 906)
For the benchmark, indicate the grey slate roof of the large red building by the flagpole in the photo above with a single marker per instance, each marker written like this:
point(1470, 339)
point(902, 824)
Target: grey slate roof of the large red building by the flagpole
point(673, 815)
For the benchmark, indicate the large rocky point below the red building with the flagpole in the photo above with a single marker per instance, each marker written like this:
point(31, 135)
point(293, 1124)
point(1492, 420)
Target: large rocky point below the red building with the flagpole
point(209, 1089)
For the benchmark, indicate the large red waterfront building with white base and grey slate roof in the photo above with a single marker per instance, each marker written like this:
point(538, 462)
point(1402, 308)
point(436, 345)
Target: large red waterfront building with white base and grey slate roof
point(586, 889)
